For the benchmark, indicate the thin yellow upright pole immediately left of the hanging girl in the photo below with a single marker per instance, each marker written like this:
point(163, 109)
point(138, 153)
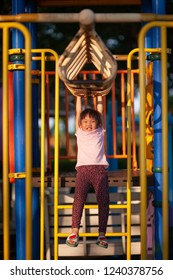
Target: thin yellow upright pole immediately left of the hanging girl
point(56, 158)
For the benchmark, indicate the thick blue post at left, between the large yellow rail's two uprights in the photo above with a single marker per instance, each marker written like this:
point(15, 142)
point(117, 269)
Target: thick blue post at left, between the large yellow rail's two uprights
point(19, 137)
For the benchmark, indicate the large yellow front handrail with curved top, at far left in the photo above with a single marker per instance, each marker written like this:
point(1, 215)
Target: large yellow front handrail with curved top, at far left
point(28, 137)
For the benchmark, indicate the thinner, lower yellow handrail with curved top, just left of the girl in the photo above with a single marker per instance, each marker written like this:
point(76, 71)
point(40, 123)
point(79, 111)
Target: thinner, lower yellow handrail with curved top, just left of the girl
point(43, 53)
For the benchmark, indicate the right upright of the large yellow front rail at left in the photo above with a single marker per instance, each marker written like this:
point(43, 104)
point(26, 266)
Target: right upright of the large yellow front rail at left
point(28, 142)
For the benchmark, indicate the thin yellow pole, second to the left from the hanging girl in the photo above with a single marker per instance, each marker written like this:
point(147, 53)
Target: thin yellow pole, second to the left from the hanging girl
point(42, 155)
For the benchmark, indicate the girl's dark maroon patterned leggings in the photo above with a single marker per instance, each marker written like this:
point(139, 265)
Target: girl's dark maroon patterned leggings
point(94, 175)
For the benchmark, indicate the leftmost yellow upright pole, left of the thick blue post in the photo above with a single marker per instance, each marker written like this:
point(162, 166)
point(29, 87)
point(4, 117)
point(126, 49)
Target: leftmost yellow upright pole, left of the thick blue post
point(5, 136)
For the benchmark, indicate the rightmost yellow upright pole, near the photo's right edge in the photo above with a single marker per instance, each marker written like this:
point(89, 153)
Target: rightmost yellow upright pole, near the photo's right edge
point(164, 142)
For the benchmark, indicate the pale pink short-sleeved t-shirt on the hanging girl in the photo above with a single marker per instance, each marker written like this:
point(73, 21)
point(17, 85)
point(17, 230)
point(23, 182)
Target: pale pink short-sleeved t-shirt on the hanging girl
point(91, 147)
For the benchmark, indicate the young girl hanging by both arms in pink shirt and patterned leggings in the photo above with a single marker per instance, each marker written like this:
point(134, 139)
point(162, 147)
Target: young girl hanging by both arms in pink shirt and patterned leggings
point(91, 170)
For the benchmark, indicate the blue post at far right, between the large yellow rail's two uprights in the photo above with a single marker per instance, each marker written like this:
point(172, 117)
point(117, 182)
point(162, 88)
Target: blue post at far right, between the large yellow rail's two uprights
point(158, 8)
